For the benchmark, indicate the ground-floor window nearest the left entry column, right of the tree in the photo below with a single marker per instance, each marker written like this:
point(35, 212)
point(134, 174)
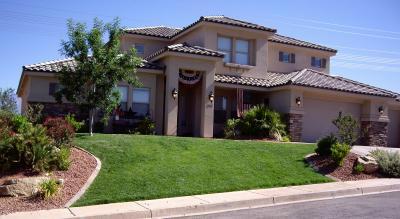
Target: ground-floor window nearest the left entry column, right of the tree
point(141, 102)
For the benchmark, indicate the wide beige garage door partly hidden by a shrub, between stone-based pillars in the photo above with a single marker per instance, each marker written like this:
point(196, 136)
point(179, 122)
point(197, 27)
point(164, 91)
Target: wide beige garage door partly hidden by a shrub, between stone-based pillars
point(318, 116)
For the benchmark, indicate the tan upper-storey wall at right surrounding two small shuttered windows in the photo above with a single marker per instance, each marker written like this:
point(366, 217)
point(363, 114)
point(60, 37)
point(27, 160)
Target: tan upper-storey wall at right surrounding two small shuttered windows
point(303, 58)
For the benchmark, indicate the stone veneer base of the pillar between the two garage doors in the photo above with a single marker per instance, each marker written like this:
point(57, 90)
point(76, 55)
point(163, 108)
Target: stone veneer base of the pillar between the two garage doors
point(374, 133)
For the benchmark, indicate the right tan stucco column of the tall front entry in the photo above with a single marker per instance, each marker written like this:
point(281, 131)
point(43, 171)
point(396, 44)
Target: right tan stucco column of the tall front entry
point(207, 107)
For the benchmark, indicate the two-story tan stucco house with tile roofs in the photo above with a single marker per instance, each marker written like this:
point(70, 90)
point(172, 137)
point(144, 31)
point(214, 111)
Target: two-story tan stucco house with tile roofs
point(197, 77)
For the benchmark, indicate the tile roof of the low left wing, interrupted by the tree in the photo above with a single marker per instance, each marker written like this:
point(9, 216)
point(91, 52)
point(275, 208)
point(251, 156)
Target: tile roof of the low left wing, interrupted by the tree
point(56, 65)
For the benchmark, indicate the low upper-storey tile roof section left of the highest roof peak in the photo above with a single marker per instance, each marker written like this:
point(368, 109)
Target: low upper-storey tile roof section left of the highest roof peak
point(159, 31)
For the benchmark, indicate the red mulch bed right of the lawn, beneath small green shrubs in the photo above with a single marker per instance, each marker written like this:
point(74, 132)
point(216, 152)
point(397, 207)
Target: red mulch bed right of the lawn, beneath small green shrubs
point(326, 165)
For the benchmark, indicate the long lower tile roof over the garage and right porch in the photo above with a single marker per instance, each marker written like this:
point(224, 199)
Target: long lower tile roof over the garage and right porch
point(307, 78)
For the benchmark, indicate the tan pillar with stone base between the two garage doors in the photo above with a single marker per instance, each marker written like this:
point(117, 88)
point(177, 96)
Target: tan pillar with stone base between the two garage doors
point(374, 124)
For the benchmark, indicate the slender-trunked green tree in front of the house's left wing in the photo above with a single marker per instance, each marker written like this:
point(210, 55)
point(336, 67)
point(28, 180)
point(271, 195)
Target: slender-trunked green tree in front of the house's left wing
point(100, 65)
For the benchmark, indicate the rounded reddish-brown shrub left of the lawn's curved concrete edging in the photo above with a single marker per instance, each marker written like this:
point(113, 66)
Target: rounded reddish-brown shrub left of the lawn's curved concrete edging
point(59, 130)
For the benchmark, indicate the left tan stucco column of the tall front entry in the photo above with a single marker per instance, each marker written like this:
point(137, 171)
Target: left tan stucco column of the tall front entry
point(171, 104)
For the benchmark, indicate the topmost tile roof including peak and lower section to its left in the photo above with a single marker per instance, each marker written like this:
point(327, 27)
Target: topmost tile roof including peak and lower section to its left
point(169, 32)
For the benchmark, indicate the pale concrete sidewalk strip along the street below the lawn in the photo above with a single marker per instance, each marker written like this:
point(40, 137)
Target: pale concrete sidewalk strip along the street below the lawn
point(208, 203)
